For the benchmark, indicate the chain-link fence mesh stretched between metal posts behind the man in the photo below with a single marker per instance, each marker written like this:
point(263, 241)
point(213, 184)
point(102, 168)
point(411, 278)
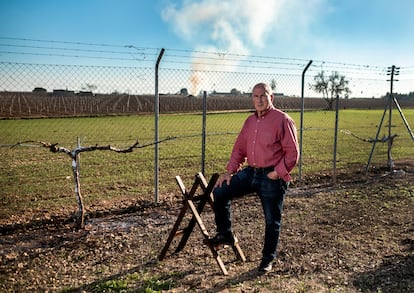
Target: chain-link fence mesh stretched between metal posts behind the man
point(83, 105)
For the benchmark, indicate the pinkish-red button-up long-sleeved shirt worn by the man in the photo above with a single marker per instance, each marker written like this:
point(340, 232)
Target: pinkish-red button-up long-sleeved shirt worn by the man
point(269, 140)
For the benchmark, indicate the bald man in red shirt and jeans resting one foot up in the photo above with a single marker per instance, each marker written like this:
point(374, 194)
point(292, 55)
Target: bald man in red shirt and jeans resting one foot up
point(268, 144)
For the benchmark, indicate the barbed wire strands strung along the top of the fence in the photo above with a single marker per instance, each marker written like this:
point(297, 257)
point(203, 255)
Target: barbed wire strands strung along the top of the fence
point(179, 56)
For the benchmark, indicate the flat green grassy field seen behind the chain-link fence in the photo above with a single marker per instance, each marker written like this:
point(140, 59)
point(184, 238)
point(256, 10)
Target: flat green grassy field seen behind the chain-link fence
point(31, 177)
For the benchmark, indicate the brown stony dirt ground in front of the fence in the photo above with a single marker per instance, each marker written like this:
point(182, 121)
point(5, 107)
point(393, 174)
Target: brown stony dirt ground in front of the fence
point(356, 236)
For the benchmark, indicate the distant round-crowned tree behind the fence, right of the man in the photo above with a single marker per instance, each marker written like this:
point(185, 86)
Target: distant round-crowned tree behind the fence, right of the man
point(330, 86)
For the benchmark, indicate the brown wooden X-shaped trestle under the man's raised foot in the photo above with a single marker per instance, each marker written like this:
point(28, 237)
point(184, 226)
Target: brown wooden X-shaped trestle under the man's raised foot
point(190, 201)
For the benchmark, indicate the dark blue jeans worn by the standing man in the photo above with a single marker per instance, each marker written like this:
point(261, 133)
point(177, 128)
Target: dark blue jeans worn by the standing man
point(271, 193)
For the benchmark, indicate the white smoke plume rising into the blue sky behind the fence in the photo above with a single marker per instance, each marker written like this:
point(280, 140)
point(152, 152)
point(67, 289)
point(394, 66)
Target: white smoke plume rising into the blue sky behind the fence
point(232, 26)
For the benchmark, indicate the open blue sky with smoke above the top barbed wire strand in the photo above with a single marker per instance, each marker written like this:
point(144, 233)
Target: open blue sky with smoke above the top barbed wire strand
point(369, 32)
